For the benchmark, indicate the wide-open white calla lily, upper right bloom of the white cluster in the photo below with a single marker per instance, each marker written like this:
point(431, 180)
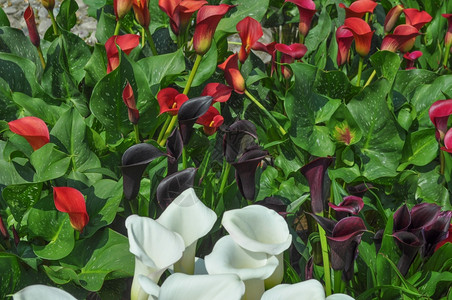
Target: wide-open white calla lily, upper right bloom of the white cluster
point(260, 229)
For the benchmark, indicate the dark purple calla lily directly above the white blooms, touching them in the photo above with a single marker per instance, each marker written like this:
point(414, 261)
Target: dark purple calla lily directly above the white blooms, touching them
point(173, 185)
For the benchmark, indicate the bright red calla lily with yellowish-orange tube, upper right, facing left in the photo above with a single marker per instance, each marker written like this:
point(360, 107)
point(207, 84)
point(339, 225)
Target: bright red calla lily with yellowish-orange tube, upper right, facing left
point(362, 33)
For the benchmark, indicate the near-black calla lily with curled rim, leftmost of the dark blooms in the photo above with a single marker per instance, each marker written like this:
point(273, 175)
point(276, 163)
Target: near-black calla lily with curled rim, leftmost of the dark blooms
point(134, 162)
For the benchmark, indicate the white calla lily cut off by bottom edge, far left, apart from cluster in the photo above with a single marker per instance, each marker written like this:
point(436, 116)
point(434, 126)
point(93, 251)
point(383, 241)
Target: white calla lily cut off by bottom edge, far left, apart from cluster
point(39, 291)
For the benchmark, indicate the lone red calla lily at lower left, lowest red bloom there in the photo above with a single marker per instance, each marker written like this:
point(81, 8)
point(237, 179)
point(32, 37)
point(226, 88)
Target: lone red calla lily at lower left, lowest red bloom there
point(71, 201)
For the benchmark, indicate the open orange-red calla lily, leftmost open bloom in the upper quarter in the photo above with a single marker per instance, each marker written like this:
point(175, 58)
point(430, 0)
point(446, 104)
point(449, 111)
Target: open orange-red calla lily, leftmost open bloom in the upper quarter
point(125, 42)
